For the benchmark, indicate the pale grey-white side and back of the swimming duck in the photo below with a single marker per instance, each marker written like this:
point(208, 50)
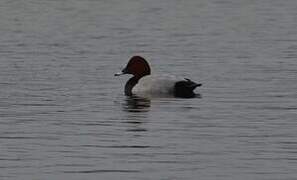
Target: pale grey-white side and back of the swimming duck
point(163, 84)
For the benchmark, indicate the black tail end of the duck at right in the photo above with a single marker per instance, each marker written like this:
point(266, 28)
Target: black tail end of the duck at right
point(185, 88)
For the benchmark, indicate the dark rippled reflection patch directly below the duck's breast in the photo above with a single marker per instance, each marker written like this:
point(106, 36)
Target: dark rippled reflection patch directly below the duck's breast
point(137, 104)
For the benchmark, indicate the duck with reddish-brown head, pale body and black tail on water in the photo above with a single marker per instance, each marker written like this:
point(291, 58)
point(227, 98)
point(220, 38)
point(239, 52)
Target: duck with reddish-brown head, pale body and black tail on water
point(144, 83)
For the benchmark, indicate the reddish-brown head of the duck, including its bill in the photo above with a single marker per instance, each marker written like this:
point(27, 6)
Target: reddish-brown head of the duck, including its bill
point(137, 66)
